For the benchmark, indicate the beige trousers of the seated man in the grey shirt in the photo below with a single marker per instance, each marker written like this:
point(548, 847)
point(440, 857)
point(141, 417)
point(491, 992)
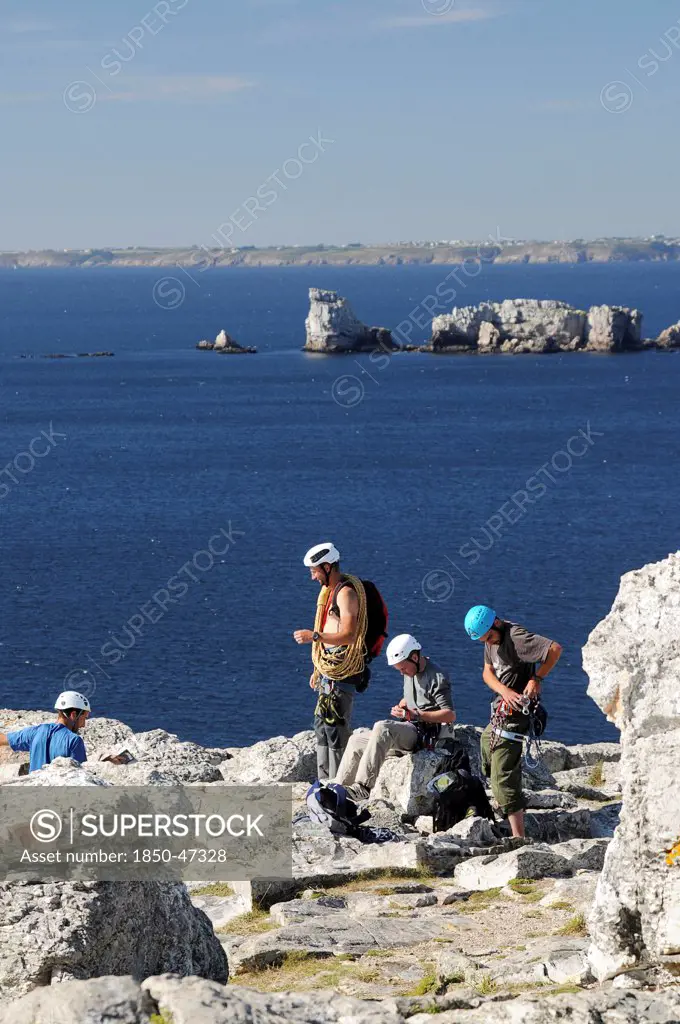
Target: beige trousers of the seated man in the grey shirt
point(366, 753)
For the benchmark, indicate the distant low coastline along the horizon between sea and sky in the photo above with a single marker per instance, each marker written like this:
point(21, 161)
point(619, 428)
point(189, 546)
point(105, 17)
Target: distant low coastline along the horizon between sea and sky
point(505, 252)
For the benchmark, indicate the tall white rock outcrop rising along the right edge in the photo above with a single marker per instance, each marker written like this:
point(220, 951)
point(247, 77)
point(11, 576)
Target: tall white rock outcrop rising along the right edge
point(633, 661)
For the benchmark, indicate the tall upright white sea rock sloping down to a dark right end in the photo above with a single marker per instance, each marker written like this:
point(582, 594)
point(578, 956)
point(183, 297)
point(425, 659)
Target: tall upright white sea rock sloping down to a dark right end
point(333, 328)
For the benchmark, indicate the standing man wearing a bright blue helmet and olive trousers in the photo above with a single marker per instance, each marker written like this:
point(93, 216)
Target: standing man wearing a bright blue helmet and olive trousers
point(517, 662)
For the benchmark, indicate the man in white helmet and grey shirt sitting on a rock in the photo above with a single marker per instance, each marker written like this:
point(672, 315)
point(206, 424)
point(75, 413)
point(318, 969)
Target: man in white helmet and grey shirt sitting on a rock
point(423, 716)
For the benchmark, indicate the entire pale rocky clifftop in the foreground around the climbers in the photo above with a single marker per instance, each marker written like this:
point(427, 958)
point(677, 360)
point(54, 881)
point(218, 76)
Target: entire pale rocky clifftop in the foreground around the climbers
point(579, 923)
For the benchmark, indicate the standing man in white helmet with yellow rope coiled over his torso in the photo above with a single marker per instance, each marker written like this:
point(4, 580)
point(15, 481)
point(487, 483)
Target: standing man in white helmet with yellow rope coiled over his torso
point(335, 639)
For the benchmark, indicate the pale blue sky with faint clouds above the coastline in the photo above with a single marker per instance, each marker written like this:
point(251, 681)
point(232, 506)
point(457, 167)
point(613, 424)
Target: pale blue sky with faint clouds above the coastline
point(143, 122)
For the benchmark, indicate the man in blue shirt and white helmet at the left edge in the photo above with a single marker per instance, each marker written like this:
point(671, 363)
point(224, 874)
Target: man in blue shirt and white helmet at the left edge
point(54, 740)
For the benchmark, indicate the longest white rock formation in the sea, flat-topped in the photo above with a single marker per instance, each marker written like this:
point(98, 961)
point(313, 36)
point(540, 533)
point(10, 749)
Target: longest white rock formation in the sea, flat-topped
point(537, 326)
